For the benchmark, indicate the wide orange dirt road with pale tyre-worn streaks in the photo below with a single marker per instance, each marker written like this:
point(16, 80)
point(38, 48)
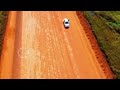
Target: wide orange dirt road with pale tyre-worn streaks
point(36, 45)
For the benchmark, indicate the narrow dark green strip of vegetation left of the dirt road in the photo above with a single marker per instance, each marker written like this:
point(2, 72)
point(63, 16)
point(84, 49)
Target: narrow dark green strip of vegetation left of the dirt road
point(3, 16)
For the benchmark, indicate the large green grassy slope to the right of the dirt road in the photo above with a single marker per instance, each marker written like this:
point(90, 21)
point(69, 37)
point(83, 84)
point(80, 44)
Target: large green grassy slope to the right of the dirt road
point(106, 28)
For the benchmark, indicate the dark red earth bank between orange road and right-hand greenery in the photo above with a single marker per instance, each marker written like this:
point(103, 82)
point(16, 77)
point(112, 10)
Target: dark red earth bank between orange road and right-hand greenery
point(91, 37)
